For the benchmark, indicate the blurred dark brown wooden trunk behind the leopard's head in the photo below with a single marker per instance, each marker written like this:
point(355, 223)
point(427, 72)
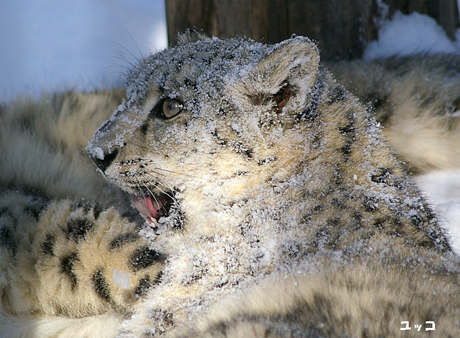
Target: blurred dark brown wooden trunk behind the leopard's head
point(342, 28)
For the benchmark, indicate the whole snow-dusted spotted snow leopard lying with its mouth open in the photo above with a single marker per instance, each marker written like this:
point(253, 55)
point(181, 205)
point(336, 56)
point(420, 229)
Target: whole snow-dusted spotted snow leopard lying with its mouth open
point(273, 205)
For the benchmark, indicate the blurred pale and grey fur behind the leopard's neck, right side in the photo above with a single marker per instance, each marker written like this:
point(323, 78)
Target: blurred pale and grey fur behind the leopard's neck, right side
point(417, 100)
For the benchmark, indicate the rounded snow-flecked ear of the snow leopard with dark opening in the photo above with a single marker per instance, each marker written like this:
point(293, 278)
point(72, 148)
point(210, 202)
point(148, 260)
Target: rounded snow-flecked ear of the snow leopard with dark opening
point(287, 74)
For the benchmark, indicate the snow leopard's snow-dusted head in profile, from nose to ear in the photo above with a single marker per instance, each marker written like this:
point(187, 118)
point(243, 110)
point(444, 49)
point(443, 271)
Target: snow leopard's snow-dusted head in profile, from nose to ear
point(205, 123)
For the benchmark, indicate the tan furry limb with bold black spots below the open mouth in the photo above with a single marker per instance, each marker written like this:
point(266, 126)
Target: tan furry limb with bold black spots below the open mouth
point(67, 259)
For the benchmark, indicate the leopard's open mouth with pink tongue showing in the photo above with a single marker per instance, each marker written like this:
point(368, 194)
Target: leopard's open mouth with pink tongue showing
point(152, 208)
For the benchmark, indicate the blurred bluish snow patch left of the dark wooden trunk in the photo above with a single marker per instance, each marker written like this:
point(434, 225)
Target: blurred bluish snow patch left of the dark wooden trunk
point(85, 44)
